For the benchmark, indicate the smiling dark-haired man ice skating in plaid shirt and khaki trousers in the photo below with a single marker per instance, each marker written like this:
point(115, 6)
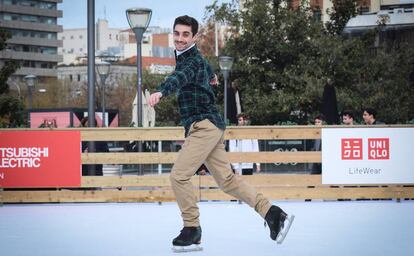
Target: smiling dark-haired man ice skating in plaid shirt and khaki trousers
point(192, 82)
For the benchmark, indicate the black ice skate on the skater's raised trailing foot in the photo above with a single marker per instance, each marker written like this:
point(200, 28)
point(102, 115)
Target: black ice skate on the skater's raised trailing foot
point(279, 223)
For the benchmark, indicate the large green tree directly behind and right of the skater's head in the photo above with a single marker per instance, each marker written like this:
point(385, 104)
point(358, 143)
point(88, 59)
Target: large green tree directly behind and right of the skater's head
point(268, 40)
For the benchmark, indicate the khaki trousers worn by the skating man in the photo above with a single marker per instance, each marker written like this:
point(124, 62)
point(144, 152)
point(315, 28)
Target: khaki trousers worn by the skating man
point(205, 144)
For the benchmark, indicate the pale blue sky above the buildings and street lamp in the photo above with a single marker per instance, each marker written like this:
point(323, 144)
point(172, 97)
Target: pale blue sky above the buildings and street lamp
point(163, 11)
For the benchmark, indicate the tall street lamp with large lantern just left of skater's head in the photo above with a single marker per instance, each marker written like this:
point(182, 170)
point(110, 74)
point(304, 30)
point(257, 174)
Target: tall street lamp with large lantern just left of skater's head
point(139, 19)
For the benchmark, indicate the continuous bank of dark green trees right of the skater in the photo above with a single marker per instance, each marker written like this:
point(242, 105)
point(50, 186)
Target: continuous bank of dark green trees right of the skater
point(284, 58)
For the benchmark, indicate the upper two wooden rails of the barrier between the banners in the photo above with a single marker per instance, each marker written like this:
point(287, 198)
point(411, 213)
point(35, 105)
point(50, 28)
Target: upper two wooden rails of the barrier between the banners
point(174, 134)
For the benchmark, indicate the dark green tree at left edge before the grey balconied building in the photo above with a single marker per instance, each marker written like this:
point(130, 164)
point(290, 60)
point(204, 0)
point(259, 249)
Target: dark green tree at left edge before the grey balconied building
point(11, 107)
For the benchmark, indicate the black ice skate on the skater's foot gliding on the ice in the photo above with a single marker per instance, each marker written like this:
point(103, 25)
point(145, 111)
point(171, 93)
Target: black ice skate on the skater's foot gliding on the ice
point(188, 240)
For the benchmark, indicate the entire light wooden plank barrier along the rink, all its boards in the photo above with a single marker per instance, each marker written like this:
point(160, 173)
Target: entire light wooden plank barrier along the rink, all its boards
point(156, 188)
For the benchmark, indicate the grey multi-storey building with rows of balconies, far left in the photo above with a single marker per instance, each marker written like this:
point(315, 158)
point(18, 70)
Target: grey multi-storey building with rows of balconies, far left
point(34, 42)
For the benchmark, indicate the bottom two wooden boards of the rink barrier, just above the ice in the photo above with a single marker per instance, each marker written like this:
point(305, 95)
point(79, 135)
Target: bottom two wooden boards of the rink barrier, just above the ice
point(156, 188)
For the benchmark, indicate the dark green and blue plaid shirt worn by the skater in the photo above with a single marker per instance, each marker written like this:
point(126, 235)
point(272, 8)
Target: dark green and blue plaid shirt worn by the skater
point(191, 83)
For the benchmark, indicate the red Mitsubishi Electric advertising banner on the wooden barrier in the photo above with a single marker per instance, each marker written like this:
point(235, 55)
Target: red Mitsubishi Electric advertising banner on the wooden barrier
point(40, 159)
